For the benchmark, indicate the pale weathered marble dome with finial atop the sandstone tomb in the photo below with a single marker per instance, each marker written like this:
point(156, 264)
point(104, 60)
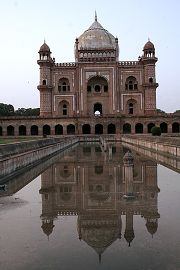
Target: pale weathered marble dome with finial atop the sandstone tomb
point(96, 37)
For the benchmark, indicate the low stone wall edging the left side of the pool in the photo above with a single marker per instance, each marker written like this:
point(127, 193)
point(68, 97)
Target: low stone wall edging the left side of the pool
point(15, 157)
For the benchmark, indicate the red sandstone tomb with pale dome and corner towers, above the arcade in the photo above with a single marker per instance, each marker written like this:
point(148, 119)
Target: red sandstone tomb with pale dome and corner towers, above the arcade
point(97, 82)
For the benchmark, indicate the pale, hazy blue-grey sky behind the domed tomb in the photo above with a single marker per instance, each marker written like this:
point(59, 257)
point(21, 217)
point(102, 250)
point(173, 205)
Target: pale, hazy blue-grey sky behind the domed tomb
point(24, 24)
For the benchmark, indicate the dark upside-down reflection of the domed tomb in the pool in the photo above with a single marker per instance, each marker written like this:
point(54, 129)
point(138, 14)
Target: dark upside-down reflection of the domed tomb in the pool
point(89, 184)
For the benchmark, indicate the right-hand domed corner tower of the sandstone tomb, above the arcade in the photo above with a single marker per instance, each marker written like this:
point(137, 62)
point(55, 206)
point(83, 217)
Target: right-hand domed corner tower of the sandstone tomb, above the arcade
point(149, 79)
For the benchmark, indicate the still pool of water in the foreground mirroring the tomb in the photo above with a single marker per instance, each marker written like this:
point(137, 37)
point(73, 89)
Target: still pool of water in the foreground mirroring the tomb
point(90, 209)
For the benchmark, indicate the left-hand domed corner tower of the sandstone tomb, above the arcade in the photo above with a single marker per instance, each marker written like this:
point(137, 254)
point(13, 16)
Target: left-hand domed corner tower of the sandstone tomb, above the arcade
point(45, 85)
